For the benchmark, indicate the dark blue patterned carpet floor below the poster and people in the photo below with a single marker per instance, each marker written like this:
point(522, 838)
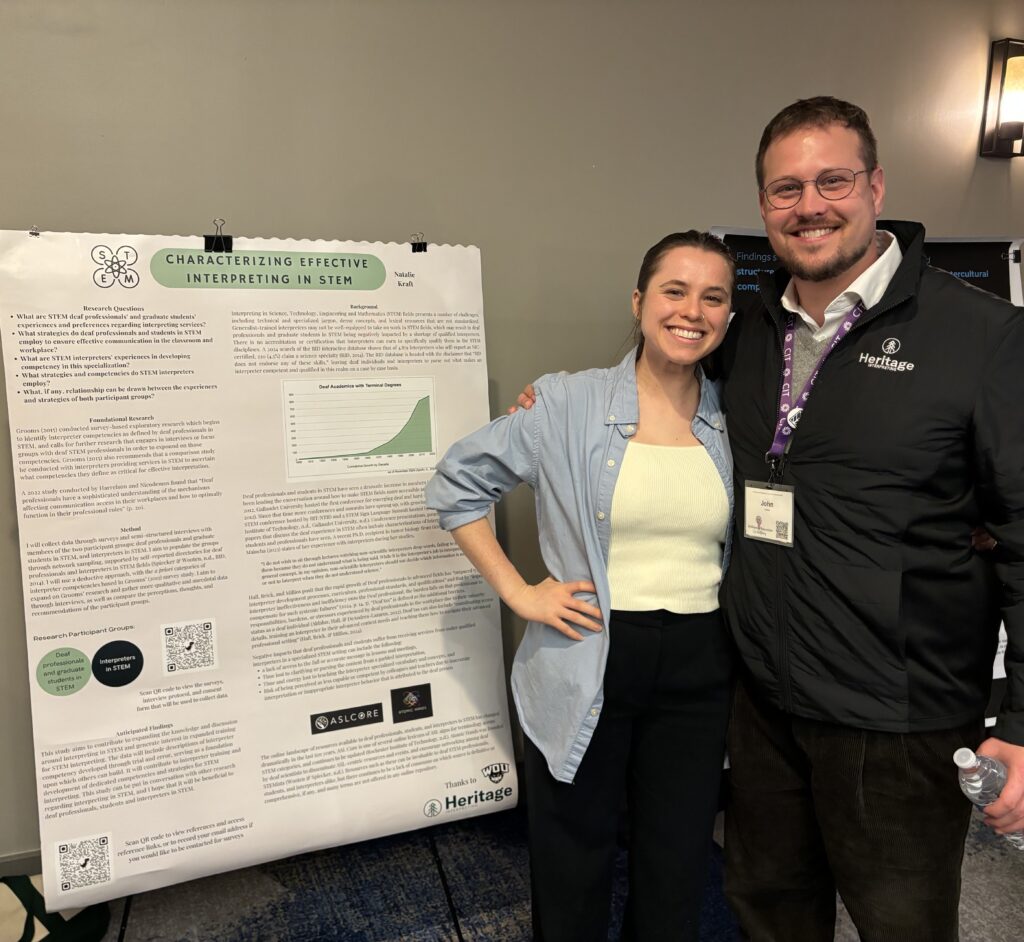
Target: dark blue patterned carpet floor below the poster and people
point(466, 882)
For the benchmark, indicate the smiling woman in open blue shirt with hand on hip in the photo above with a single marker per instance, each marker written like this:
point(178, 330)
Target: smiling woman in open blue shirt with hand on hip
point(622, 679)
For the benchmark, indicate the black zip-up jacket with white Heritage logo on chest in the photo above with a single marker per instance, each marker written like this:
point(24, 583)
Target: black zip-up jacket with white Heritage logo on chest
point(882, 617)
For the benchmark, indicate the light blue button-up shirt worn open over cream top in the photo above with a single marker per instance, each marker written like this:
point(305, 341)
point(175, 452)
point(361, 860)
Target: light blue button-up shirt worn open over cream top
point(569, 448)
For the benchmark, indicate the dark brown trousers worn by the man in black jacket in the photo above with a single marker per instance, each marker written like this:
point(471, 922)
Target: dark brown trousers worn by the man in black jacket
point(815, 807)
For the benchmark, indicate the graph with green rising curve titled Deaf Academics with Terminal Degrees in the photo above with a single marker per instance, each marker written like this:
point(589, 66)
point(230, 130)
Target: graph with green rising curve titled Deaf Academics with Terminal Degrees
point(345, 426)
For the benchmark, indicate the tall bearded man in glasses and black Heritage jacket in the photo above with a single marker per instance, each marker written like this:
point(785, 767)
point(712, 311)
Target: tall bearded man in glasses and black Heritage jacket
point(866, 622)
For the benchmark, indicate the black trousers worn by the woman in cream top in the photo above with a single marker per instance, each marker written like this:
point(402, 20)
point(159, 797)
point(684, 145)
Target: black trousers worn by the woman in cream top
point(659, 744)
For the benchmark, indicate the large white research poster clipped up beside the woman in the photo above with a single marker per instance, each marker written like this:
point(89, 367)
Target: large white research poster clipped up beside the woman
point(247, 637)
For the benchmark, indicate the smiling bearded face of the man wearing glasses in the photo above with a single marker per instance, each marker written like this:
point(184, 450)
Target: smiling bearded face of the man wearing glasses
point(822, 240)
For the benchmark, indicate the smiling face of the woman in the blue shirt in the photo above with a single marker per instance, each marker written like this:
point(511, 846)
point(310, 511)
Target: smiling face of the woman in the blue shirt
point(685, 309)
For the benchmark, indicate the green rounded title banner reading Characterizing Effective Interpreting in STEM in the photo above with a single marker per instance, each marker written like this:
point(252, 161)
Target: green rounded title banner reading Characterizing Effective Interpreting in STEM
point(303, 271)
